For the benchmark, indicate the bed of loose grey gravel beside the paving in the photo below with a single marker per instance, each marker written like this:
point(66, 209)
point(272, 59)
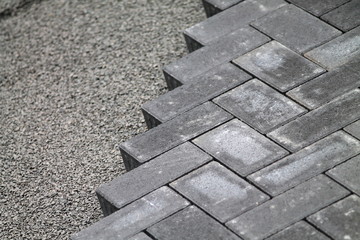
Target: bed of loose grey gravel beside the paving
point(73, 75)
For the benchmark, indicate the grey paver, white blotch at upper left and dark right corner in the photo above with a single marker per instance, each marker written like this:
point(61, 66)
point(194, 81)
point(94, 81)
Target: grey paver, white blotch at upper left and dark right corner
point(278, 66)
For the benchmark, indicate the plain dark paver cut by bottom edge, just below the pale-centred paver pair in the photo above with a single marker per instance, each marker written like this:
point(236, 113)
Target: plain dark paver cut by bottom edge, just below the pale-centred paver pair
point(189, 224)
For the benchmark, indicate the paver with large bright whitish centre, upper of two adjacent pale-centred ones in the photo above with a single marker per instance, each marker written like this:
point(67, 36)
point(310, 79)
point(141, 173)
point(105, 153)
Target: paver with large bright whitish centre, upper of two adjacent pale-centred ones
point(240, 147)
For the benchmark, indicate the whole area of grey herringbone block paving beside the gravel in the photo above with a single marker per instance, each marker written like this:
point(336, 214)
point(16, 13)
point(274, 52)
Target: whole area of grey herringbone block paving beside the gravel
point(259, 137)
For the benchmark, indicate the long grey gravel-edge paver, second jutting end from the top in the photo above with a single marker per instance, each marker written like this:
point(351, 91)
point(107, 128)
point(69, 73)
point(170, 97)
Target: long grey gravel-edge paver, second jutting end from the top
point(230, 20)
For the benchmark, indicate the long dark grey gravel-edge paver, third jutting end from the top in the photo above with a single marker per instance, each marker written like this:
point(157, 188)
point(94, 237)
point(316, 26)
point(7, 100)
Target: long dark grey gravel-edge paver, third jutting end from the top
point(231, 46)
